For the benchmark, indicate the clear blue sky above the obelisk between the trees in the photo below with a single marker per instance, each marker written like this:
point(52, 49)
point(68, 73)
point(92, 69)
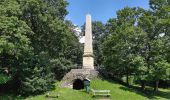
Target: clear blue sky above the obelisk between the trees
point(100, 10)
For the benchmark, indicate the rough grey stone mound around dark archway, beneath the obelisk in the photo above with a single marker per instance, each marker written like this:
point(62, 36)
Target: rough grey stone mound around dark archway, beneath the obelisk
point(81, 74)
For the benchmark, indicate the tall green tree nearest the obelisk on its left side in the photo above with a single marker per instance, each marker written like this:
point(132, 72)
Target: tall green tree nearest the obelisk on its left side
point(57, 38)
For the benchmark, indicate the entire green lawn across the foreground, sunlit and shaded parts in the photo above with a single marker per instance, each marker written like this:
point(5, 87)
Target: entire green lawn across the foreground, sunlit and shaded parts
point(118, 92)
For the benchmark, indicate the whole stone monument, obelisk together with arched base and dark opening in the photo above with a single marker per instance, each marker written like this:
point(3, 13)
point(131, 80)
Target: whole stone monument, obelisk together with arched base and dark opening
point(74, 79)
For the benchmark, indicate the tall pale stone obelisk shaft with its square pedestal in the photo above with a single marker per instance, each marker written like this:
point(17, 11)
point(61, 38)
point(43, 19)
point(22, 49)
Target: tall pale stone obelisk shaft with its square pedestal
point(88, 60)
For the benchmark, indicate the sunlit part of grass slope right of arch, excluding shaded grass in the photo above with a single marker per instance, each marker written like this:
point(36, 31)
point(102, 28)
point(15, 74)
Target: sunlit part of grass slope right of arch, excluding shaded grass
point(118, 92)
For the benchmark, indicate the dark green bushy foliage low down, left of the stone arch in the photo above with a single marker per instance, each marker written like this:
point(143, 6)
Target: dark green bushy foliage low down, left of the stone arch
point(38, 76)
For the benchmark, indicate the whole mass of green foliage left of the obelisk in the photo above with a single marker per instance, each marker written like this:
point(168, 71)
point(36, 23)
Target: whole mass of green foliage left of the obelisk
point(35, 43)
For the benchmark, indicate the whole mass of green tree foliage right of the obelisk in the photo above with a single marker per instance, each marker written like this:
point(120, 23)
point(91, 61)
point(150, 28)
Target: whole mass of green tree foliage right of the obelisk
point(137, 42)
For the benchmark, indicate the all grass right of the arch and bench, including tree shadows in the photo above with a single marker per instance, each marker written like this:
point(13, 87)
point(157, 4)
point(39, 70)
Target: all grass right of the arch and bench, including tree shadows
point(121, 92)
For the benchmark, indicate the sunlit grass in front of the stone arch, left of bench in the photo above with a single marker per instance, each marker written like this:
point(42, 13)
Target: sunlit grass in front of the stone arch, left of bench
point(64, 94)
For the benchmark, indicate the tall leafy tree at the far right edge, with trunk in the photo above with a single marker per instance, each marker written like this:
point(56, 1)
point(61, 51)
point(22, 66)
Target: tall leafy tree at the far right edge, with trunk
point(155, 23)
